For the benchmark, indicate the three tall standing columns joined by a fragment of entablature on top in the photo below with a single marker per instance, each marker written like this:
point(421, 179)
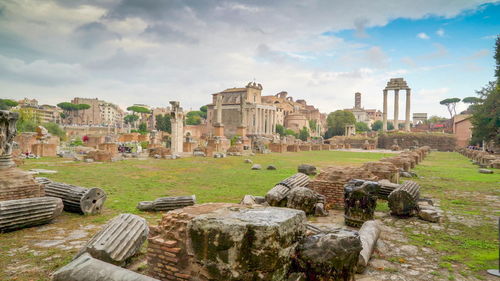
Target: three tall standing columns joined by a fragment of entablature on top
point(397, 84)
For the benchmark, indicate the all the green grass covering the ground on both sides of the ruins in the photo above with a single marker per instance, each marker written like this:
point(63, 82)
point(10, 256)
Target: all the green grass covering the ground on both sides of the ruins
point(469, 241)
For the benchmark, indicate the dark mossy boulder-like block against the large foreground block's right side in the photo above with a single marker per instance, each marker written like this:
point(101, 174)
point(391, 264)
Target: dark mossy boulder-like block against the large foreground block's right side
point(329, 255)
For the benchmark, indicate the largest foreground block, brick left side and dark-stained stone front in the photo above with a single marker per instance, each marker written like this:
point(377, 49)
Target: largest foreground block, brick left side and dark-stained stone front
point(225, 242)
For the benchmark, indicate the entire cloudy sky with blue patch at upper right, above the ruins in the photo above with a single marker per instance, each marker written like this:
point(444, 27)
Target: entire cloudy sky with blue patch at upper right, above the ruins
point(154, 51)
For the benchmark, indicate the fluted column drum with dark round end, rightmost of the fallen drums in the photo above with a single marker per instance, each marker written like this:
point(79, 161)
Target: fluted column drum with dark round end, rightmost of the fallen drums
point(403, 201)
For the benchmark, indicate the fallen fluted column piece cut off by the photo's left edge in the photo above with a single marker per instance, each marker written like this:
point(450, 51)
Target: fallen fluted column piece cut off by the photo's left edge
point(21, 213)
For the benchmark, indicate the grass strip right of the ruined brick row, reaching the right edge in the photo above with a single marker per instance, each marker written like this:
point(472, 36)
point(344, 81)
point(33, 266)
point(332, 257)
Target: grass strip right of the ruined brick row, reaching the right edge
point(470, 200)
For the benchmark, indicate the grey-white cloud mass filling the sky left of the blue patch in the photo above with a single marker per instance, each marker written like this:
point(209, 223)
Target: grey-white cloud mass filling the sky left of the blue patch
point(200, 47)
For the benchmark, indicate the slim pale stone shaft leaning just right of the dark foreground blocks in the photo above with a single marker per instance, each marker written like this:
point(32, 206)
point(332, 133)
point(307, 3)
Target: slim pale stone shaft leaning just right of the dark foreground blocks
point(369, 234)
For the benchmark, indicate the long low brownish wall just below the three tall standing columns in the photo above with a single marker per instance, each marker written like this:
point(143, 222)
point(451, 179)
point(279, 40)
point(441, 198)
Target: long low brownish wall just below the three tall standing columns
point(439, 141)
